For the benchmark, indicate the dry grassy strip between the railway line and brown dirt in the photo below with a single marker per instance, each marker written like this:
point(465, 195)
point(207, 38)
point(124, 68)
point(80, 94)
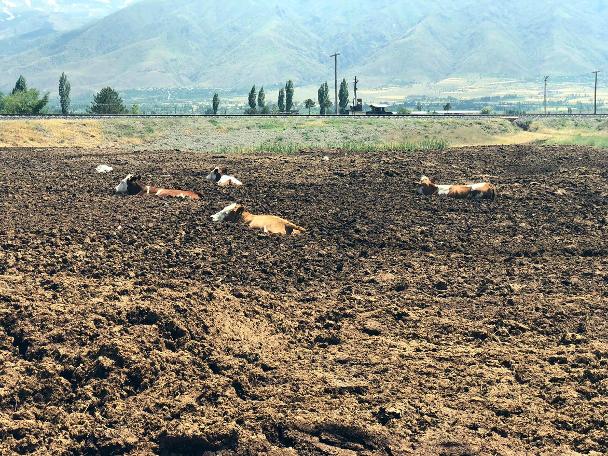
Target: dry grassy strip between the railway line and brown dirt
point(284, 135)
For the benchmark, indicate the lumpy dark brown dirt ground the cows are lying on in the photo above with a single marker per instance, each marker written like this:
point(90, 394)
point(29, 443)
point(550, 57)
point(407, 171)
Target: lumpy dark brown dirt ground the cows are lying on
point(397, 324)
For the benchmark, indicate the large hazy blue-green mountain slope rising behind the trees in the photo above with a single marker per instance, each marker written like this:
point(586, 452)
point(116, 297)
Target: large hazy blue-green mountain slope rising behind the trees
point(234, 43)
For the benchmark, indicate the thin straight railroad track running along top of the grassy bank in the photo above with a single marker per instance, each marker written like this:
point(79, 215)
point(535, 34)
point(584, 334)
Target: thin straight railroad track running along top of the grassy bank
point(395, 116)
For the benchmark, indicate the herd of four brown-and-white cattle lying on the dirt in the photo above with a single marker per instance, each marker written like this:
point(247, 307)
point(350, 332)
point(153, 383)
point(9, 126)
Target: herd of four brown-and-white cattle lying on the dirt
point(272, 224)
